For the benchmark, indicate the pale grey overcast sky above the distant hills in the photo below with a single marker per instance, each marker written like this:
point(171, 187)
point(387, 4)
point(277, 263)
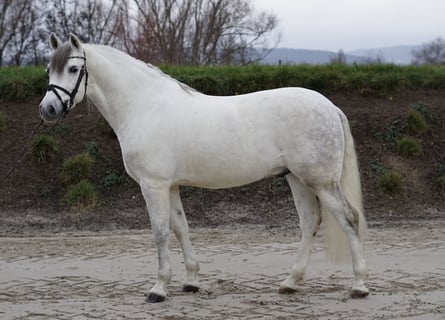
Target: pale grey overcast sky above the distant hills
point(356, 24)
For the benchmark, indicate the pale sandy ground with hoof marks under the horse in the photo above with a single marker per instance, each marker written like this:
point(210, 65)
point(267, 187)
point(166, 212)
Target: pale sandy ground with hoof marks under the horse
point(90, 276)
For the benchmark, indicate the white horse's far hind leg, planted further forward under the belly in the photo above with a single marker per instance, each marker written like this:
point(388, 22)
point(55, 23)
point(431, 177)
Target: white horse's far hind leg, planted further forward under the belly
point(309, 214)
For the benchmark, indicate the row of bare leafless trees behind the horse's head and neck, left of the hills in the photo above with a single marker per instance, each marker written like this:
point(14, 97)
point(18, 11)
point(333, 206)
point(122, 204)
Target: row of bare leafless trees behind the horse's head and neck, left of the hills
point(199, 32)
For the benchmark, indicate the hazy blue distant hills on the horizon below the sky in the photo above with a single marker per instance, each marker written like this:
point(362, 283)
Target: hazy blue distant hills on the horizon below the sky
point(396, 54)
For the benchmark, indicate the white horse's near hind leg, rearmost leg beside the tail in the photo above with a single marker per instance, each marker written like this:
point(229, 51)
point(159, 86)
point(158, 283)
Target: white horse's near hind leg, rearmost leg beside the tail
point(333, 199)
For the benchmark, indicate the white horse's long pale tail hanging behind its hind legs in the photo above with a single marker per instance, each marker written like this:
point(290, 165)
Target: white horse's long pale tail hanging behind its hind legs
point(333, 235)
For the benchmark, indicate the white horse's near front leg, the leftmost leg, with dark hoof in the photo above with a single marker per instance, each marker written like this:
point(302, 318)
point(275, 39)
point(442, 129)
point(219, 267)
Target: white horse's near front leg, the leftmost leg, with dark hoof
point(157, 198)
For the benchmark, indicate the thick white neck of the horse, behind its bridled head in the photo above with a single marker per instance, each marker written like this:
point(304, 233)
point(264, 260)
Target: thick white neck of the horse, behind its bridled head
point(122, 87)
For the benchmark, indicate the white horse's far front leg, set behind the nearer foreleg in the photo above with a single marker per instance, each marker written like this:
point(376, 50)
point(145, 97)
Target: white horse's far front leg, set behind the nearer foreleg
point(178, 223)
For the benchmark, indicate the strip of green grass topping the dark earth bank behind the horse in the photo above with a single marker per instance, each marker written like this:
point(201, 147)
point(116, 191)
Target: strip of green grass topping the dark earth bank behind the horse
point(23, 83)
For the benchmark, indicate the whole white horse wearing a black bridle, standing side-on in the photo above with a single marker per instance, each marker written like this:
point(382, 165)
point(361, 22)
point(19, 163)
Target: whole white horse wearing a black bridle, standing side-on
point(172, 135)
